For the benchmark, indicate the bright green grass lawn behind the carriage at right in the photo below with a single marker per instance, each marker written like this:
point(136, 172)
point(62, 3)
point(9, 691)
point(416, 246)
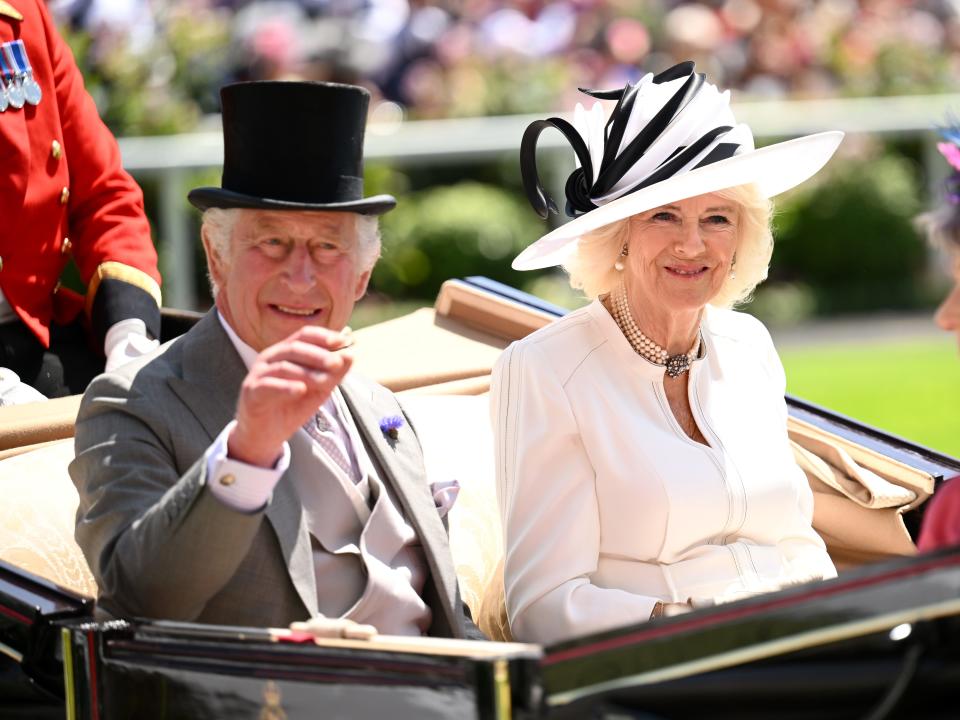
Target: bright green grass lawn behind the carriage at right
point(909, 388)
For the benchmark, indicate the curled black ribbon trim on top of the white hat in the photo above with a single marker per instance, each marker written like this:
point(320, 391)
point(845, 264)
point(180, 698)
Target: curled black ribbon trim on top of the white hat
point(580, 189)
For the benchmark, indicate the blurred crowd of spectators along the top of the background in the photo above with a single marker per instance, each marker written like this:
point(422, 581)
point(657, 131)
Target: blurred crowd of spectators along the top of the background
point(481, 57)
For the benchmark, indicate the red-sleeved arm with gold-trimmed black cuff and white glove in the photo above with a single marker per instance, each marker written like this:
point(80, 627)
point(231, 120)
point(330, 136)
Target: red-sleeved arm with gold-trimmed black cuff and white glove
point(109, 231)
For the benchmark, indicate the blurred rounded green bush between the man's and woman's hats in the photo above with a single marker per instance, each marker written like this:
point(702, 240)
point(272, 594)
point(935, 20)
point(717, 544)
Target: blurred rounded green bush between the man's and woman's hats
point(453, 231)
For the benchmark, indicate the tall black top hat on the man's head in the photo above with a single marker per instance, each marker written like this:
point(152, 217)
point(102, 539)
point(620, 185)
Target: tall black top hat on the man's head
point(293, 146)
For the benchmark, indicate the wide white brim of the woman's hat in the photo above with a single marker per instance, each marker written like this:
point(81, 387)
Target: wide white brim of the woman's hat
point(774, 169)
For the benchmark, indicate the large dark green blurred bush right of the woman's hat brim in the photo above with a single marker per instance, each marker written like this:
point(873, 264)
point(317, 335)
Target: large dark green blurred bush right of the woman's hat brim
point(849, 237)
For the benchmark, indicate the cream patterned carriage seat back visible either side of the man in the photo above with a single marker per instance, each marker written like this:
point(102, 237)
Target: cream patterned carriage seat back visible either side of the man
point(40, 500)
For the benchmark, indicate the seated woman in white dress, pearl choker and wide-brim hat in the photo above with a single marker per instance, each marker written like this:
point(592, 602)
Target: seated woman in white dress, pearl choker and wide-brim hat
point(643, 463)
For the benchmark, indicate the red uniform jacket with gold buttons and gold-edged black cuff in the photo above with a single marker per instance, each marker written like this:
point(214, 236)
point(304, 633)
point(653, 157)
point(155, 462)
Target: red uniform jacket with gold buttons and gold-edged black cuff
point(63, 192)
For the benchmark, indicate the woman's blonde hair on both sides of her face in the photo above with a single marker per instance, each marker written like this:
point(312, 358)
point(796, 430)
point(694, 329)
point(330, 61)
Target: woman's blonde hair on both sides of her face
point(591, 265)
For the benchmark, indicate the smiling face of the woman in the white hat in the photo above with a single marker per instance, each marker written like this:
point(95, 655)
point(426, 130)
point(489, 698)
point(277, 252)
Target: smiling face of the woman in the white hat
point(680, 254)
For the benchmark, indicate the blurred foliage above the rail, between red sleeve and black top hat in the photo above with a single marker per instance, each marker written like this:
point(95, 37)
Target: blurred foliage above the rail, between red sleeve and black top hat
point(164, 87)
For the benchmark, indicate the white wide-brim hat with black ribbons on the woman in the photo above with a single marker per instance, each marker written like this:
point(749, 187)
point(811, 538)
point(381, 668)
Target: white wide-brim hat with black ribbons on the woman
point(671, 136)
